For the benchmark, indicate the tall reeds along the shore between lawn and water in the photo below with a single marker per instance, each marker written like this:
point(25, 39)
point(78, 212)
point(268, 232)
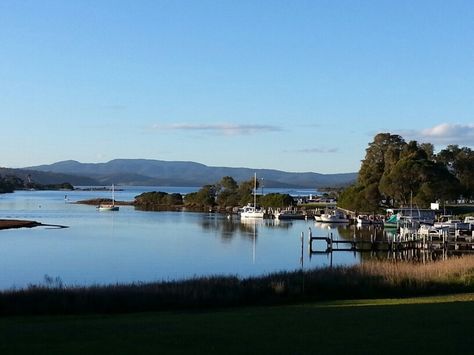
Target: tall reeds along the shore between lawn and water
point(372, 279)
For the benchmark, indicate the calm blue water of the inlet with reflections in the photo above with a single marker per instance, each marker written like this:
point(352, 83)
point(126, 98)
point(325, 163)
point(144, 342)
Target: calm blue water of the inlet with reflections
point(129, 245)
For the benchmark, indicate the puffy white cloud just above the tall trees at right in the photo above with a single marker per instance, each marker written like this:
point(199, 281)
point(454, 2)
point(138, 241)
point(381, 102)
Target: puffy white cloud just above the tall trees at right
point(445, 133)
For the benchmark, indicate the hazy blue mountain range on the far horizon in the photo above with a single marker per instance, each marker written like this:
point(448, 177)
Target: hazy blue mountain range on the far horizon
point(143, 172)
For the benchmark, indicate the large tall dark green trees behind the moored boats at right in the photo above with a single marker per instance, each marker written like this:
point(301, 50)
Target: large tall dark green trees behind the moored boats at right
point(395, 173)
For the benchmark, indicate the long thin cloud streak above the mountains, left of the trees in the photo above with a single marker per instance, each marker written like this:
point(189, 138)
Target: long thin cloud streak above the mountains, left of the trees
point(223, 128)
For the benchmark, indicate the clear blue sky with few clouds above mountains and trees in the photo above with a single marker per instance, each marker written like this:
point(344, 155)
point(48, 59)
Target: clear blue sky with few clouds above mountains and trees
point(290, 85)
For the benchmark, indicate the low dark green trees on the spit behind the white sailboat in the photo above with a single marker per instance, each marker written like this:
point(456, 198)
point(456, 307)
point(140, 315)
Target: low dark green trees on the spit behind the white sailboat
point(226, 194)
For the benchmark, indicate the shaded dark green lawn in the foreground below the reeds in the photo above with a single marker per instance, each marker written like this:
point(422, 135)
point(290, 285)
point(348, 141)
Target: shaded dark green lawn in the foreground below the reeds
point(433, 325)
